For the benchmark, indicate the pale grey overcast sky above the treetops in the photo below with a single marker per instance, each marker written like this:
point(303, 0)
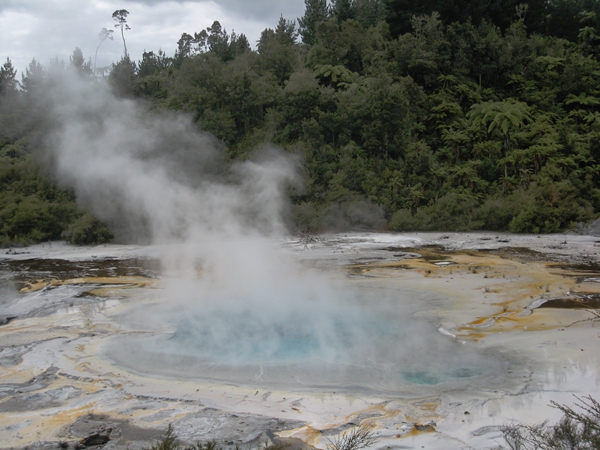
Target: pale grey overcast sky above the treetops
point(45, 29)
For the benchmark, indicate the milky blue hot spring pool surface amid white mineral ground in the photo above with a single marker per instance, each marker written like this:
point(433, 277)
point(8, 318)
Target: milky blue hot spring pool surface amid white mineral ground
point(370, 340)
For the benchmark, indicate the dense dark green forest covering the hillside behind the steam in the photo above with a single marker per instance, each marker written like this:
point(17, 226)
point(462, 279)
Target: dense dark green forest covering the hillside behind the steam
point(431, 116)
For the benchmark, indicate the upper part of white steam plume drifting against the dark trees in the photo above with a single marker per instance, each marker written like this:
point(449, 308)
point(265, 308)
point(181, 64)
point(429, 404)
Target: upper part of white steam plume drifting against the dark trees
point(155, 173)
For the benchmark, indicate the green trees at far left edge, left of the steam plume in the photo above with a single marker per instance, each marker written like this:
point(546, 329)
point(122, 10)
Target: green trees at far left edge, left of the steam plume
point(32, 207)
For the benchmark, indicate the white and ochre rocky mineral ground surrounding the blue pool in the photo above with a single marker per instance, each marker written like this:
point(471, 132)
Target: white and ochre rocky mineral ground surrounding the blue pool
point(532, 301)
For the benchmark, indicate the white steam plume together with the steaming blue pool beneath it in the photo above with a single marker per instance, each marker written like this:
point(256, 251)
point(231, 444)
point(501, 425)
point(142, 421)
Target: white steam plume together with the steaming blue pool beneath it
point(237, 308)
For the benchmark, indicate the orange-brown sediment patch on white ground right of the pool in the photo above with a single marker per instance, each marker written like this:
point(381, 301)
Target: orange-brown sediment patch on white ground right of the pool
point(512, 278)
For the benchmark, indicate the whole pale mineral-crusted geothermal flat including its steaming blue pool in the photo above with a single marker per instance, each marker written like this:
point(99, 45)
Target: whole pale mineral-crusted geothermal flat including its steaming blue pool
point(433, 341)
